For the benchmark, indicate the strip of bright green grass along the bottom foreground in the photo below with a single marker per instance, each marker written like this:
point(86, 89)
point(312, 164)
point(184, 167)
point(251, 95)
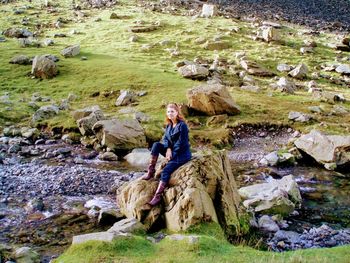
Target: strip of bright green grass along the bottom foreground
point(208, 249)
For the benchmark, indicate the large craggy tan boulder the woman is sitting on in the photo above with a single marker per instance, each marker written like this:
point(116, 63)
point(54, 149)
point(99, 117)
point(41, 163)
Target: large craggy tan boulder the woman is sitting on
point(203, 190)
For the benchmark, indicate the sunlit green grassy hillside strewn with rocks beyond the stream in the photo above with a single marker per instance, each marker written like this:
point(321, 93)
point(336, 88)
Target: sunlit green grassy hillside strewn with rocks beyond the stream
point(114, 63)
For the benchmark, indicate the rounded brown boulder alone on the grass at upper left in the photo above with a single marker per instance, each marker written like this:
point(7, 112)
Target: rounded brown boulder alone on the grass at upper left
point(44, 68)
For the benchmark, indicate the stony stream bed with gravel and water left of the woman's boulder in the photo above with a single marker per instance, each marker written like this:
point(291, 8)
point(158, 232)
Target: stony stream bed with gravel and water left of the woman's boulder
point(44, 193)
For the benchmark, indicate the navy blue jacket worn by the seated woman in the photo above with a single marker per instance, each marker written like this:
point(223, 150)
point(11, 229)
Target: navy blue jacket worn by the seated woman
point(177, 140)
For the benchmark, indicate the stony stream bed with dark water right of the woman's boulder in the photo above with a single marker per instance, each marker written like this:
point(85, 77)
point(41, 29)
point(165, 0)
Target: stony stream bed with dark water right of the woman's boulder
point(324, 193)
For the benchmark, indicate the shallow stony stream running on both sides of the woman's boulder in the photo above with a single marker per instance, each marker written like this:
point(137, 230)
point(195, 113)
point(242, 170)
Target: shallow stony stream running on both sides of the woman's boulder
point(49, 230)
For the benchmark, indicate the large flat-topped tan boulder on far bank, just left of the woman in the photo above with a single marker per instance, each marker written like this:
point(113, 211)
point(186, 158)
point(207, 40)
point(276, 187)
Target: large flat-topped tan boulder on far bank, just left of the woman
point(119, 134)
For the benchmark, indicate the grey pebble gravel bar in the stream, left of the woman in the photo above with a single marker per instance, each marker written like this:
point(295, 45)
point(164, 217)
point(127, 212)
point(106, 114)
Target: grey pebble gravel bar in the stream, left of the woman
point(44, 180)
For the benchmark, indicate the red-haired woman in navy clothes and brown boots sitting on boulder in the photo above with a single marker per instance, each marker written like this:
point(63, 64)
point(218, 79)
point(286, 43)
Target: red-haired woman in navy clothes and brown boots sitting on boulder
point(175, 148)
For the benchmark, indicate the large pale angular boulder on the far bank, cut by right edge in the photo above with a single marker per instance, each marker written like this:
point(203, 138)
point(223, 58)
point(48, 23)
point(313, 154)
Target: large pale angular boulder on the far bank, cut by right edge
point(325, 149)
